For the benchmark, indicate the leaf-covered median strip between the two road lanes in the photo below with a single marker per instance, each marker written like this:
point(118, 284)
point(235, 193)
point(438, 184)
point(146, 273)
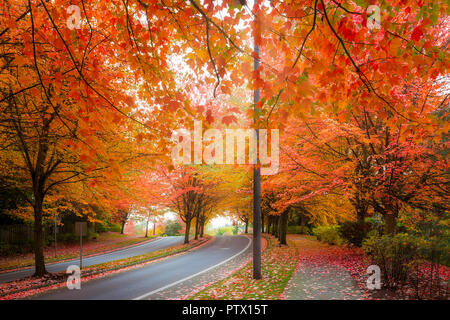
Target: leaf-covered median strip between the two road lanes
point(34, 285)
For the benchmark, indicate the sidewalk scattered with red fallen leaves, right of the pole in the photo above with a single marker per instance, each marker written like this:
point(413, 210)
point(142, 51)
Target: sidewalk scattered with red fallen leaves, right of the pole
point(318, 275)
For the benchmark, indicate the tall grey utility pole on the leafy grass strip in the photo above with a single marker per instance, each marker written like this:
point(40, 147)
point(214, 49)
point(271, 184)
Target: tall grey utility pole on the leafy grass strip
point(256, 168)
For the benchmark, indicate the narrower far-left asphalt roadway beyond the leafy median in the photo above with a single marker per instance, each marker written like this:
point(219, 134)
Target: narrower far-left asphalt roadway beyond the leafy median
point(132, 251)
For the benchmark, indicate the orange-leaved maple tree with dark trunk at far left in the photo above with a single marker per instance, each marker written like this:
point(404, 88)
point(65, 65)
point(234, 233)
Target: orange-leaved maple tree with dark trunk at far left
point(57, 124)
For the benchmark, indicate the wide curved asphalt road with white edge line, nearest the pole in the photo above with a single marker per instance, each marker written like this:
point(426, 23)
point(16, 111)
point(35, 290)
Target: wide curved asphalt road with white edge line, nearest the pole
point(142, 282)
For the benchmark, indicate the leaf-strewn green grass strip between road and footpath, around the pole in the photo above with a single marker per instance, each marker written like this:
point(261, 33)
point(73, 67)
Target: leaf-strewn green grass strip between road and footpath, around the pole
point(278, 263)
